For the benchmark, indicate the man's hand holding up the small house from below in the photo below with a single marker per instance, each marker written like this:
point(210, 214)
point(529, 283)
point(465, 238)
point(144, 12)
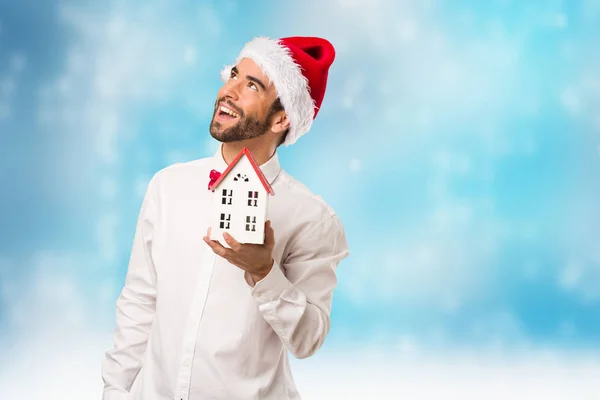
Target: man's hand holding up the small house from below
point(255, 259)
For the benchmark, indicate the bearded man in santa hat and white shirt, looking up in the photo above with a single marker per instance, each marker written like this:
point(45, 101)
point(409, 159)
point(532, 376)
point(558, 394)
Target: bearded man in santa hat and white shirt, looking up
point(204, 319)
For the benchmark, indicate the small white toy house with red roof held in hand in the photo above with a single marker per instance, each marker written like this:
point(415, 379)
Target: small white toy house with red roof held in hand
point(241, 199)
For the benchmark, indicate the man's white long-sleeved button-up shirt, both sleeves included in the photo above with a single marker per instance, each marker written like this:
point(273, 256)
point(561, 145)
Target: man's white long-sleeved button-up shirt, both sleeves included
point(189, 326)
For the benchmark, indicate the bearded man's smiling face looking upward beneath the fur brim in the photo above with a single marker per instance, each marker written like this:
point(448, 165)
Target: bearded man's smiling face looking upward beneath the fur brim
point(243, 104)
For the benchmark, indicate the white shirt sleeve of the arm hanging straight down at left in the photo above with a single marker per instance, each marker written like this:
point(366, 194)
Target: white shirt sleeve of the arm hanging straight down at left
point(135, 308)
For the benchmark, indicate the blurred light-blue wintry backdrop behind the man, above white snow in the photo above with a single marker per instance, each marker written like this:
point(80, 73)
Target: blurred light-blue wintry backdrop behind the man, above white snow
point(458, 141)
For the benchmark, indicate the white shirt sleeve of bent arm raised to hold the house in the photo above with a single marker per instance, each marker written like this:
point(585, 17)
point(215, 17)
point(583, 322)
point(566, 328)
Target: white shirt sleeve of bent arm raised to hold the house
point(297, 302)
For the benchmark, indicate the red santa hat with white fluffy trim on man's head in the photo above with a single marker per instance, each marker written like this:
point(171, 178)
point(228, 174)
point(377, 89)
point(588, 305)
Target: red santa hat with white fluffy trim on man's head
point(298, 67)
